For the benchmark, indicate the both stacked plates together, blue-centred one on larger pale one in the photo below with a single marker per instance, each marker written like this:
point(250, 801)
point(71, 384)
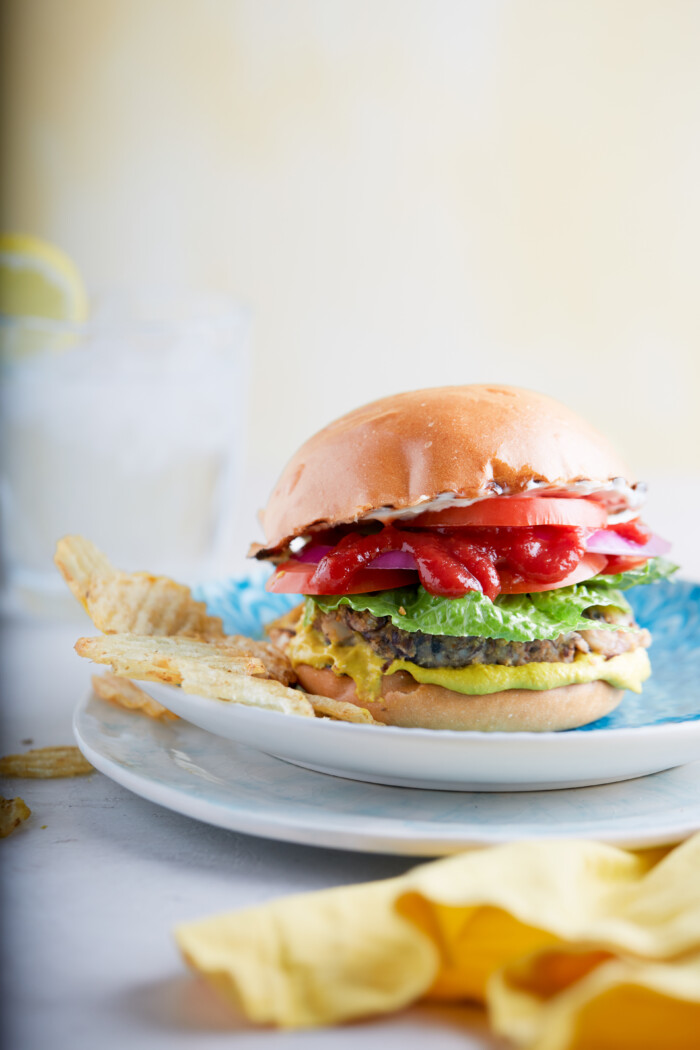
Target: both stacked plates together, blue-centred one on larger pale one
point(417, 791)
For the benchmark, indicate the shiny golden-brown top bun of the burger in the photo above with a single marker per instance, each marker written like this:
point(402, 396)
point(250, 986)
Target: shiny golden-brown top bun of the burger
point(405, 451)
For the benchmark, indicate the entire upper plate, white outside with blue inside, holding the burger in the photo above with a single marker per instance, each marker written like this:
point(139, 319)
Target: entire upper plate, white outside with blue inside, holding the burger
point(646, 734)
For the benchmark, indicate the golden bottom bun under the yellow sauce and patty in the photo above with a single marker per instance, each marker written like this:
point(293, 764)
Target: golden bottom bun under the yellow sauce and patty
point(408, 703)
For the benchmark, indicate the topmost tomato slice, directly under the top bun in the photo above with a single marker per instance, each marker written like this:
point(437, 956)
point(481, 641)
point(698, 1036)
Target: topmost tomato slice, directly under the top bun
point(513, 511)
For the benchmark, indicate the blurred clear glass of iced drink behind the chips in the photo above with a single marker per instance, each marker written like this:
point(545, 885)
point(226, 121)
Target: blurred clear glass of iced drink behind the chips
point(129, 430)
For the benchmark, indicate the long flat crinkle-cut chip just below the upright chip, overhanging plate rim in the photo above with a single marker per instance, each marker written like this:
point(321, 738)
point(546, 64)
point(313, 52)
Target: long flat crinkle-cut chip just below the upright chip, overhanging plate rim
point(155, 659)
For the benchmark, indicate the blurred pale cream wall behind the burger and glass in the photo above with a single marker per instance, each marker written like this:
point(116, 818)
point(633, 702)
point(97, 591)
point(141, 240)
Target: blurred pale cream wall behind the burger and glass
point(404, 193)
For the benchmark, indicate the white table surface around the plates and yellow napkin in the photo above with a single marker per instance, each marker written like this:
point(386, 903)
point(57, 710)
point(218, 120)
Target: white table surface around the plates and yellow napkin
point(94, 884)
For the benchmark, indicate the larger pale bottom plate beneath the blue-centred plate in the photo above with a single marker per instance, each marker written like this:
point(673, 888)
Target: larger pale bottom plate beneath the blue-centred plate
point(239, 788)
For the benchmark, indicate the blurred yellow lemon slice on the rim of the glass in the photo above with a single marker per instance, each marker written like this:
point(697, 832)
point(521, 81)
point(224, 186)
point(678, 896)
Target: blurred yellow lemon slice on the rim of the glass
point(38, 280)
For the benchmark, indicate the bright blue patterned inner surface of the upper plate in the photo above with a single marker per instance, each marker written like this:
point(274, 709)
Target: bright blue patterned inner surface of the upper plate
point(670, 610)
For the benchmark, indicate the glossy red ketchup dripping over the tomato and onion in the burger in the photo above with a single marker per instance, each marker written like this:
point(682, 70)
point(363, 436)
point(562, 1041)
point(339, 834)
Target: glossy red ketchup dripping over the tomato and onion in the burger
point(452, 562)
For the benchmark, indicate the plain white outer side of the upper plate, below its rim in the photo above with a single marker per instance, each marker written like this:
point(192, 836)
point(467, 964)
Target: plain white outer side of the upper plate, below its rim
point(444, 760)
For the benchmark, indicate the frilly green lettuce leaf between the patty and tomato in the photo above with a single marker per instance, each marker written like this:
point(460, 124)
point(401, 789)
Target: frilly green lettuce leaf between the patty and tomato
point(516, 618)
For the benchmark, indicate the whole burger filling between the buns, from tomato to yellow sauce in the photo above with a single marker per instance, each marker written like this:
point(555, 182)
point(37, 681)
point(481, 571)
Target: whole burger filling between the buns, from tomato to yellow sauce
point(514, 594)
